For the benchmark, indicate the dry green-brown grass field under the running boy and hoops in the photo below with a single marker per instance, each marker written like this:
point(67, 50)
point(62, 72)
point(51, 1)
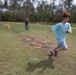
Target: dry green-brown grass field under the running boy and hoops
point(17, 59)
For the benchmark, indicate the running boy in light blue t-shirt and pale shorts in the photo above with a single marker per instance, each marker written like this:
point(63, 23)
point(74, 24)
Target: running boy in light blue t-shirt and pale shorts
point(61, 29)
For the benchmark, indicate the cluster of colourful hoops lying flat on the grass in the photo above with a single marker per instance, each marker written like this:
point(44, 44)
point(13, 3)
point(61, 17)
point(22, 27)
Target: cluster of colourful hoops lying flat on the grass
point(32, 41)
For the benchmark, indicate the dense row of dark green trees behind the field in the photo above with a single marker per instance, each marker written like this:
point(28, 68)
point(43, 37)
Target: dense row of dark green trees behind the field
point(36, 10)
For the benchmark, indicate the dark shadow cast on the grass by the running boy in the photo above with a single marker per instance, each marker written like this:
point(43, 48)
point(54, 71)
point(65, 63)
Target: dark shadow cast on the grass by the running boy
point(42, 65)
